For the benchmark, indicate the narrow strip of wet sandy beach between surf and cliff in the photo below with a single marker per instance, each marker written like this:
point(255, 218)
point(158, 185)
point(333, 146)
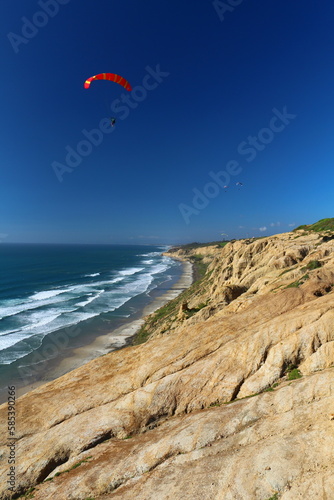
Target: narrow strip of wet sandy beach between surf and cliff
point(114, 340)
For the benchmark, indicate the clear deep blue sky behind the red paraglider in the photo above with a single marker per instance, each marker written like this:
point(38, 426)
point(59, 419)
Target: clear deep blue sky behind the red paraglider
point(227, 70)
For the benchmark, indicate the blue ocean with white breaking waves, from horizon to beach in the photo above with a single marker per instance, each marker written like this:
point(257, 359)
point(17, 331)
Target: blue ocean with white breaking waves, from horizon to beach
point(58, 297)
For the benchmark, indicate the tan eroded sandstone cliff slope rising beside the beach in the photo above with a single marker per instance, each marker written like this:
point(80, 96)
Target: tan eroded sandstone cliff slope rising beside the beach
point(230, 397)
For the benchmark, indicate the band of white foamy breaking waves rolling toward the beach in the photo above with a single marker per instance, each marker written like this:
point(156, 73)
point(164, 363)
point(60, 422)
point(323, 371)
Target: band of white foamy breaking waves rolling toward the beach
point(53, 309)
